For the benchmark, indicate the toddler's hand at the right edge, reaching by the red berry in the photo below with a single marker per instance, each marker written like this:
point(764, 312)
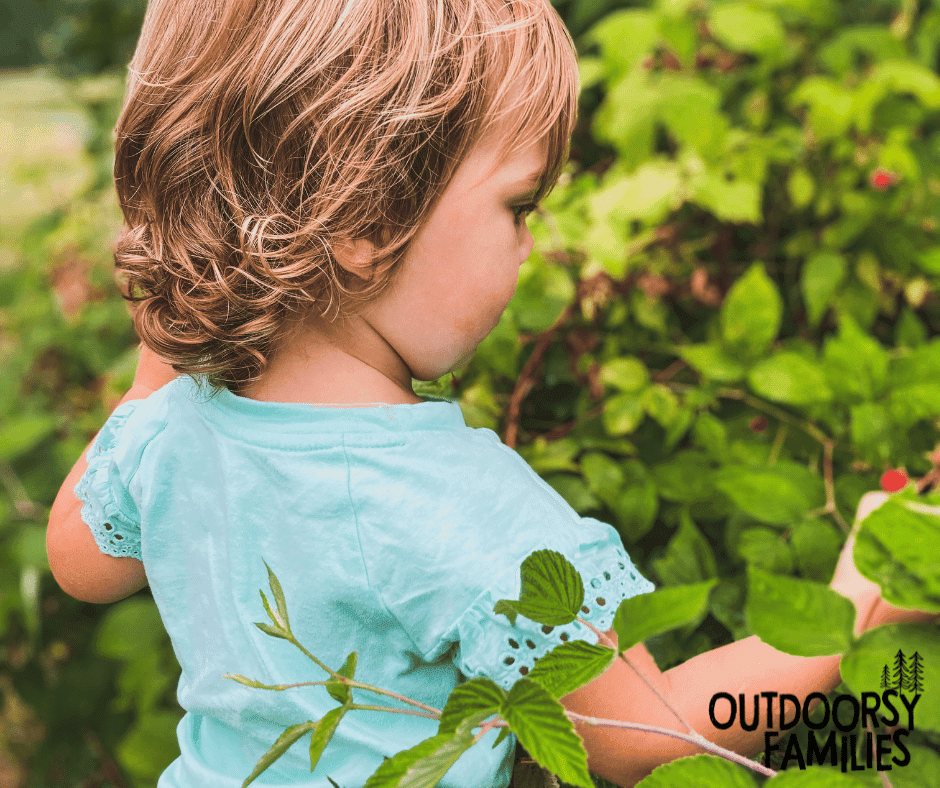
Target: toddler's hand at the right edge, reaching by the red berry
point(864, 594)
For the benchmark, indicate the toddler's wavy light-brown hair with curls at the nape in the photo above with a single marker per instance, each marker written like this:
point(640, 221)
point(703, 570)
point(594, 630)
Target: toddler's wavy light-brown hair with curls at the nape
point(259, 136)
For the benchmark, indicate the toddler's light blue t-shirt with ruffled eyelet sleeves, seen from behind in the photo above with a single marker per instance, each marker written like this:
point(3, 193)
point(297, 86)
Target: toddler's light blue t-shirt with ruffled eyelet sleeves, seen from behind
point(393, 530)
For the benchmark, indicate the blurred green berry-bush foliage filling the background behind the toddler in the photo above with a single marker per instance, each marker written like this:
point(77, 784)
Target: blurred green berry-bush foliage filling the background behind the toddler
point(721, 342)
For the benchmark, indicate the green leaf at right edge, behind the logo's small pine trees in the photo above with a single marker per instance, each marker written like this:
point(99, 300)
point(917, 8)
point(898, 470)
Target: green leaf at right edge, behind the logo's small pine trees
point(861, 667)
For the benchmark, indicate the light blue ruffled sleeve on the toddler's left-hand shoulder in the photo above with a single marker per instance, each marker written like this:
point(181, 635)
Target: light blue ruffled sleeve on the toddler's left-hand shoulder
point(108, 508)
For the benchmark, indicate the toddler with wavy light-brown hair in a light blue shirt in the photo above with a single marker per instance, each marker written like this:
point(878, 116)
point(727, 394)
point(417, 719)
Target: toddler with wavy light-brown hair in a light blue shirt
point(324, 200)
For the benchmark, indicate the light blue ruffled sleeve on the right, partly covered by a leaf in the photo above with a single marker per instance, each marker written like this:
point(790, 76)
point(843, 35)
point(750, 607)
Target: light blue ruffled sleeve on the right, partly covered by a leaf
point(490, 646)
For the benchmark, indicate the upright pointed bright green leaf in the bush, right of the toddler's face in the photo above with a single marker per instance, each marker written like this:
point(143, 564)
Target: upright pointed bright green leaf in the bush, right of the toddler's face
point(751, 313)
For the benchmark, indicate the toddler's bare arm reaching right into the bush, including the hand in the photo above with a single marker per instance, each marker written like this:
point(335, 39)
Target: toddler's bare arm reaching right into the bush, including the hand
point(747, 666)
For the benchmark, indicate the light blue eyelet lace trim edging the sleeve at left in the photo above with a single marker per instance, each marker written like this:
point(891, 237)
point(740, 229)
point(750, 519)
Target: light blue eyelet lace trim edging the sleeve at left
point(115, 533)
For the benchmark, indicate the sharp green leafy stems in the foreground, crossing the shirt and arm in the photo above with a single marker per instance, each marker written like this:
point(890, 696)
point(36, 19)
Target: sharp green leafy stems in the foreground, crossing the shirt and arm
point(552, 593)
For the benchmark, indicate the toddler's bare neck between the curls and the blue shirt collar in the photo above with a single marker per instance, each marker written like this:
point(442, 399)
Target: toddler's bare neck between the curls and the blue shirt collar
point(328, 365)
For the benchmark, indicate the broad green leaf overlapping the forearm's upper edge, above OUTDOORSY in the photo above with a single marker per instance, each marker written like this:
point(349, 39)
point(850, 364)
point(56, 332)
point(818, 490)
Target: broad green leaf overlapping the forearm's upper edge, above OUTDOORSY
point(798, 616)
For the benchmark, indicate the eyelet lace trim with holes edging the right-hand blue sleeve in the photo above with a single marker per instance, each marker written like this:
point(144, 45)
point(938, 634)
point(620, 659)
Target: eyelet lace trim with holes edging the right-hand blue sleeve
point(520, 646)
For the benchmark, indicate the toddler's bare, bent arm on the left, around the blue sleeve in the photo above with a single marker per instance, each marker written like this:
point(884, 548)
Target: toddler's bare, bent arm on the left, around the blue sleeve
point(77, 563)
